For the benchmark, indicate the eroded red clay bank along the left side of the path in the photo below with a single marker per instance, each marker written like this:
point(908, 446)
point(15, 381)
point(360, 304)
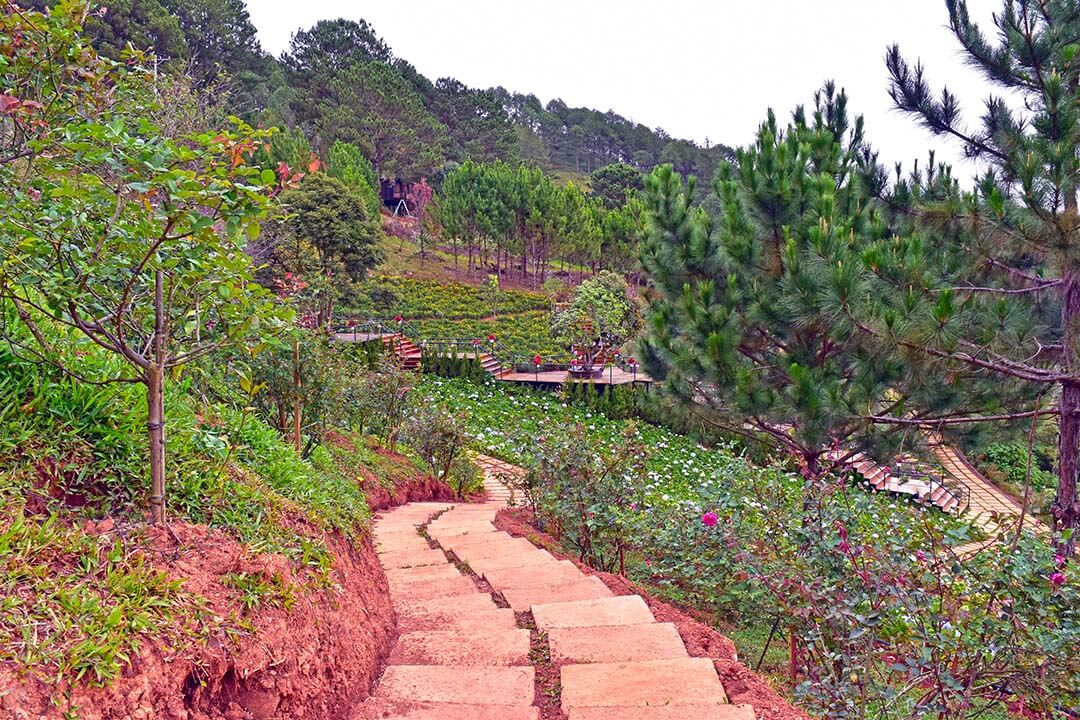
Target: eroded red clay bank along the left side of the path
point(314, 661)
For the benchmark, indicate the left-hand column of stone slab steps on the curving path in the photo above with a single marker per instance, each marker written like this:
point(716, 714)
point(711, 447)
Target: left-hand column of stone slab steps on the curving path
point(458, 656)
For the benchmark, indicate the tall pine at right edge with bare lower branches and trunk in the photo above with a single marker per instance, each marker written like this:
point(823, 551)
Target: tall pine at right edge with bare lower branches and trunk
point(991, 279)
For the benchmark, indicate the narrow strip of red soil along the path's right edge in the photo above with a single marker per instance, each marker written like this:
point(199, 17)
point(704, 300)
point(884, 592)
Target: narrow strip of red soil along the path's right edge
point(701, 641)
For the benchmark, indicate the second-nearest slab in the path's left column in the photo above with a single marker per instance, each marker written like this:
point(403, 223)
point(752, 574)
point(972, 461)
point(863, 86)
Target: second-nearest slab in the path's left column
point(481, 686)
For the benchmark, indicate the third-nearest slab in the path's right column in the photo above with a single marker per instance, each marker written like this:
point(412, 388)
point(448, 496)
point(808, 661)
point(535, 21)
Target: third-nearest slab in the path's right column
point(615, 644)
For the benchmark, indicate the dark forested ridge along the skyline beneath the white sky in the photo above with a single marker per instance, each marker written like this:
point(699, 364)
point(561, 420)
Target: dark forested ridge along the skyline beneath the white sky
point(341, 81)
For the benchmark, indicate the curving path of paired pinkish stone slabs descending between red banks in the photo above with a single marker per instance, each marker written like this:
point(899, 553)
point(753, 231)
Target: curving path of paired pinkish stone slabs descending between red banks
point(477, 607)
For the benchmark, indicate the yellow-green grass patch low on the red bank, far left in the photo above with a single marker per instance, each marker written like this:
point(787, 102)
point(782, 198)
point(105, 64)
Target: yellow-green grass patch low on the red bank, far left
point(78, 606)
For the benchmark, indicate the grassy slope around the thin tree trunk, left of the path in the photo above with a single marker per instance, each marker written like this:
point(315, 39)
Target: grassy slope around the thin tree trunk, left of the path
point(77, 606)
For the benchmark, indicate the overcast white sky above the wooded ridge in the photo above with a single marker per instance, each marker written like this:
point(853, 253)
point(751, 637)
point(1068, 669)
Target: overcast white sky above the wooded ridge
point(697, 70)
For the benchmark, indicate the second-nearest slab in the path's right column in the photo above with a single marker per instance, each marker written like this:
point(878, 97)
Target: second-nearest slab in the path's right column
point(684, 682)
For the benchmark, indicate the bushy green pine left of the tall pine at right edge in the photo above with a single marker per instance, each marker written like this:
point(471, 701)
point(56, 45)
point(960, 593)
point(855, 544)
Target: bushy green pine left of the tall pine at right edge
point(735, 330)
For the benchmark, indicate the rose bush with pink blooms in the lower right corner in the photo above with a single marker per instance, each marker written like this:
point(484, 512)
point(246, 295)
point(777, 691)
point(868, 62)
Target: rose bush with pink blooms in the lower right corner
point(897, 624)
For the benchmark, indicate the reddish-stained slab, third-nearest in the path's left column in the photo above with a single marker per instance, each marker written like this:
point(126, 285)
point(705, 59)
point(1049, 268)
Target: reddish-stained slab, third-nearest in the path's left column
point(469, 648)
